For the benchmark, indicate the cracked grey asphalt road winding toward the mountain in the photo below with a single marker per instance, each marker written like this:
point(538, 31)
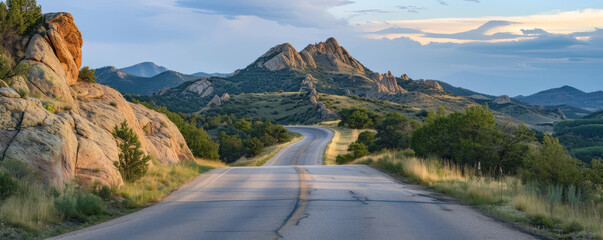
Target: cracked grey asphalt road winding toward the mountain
point(304, 201)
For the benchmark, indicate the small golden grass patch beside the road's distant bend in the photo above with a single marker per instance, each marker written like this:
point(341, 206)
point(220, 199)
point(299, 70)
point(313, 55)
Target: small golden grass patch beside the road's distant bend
point(342, 137)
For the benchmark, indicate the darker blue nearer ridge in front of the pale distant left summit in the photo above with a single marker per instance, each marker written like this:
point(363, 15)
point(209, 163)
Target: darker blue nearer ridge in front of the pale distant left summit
point(129, 83)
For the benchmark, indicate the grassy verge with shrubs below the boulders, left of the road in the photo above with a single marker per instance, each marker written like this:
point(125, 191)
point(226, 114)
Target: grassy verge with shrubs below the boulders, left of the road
point(34, 210)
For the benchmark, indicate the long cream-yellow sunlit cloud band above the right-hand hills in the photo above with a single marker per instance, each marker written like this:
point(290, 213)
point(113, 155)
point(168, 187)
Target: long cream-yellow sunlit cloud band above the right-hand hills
point(461, 30)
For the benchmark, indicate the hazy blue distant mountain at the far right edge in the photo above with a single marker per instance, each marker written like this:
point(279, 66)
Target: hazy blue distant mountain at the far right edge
point(567, 95)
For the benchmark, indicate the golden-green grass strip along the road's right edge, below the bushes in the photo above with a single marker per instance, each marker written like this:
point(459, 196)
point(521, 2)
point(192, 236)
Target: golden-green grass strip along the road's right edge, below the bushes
point(507, 198)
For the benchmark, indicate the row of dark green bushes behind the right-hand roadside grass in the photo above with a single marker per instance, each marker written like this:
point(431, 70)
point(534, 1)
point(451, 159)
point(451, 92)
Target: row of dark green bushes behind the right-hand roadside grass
point(471, 139)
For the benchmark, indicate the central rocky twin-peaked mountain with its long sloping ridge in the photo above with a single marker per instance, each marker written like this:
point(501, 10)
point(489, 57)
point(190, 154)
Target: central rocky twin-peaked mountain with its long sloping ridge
point(328, 68)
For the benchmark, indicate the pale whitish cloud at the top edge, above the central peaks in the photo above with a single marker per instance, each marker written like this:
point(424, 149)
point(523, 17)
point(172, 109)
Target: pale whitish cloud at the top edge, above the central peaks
point(308, 14)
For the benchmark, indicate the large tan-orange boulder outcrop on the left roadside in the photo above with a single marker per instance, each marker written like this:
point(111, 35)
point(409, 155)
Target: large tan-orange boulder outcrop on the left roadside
point(63, 127)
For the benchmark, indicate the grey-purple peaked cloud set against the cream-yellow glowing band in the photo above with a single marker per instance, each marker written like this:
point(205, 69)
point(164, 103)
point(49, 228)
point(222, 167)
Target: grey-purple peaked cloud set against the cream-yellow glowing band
point(479, 33)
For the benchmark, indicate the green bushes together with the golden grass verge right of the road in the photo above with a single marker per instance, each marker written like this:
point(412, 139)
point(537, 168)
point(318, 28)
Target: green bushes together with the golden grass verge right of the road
point(462, 153)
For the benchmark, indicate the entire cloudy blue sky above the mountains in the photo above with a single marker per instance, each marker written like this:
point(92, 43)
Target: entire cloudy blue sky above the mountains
point(498, 47)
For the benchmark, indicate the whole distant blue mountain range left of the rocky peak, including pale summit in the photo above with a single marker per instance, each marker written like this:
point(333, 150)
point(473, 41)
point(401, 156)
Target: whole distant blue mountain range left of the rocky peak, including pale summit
point(145, 78)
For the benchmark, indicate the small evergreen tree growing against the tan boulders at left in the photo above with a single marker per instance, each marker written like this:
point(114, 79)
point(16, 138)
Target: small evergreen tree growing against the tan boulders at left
point(132, 164)
